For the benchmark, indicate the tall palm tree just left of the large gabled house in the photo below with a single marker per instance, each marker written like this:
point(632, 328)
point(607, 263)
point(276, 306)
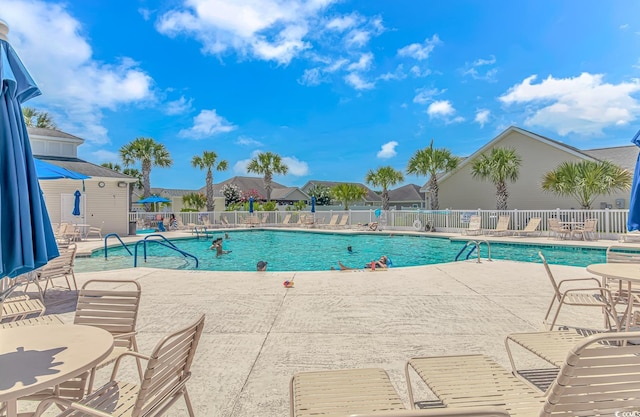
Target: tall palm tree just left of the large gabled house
point(432, 162)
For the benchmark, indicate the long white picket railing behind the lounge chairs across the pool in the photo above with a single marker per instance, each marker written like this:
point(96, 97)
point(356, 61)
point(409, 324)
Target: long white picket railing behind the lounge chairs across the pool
point(611, 222)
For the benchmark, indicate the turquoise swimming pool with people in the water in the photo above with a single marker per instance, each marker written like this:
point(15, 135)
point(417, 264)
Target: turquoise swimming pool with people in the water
point(313, 251)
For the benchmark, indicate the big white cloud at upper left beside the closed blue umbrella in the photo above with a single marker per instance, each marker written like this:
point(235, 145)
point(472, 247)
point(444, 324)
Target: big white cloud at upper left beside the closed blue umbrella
point(51, 45)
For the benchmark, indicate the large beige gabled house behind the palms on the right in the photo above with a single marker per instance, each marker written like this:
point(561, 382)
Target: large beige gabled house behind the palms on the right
point(459, 190)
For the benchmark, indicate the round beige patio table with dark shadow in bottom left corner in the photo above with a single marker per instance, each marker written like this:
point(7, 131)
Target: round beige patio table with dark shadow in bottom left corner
point(33, 358)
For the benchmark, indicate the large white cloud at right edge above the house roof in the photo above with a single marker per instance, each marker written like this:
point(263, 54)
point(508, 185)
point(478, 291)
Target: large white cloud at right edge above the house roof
point(583, 105)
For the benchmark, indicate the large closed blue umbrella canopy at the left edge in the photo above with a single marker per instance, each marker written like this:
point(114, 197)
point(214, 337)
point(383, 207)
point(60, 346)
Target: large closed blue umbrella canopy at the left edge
point(27, 240)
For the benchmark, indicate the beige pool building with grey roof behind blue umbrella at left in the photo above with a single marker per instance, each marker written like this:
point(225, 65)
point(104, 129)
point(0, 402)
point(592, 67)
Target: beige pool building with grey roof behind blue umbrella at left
point(104, 196)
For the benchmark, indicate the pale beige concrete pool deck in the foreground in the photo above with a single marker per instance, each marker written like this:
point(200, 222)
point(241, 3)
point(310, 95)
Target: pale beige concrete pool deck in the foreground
point(258, 333)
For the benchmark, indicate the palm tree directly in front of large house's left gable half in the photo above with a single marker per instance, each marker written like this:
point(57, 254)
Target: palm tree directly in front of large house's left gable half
point(500, 166)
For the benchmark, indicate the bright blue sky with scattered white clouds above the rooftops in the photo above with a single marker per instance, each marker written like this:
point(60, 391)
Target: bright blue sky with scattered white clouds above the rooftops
point(334, 87)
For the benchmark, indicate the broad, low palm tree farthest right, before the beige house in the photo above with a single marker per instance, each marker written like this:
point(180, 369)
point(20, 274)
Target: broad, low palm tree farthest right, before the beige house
point(585, 180)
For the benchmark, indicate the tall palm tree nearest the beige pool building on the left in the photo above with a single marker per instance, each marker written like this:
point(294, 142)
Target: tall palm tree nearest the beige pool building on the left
point(149, 153)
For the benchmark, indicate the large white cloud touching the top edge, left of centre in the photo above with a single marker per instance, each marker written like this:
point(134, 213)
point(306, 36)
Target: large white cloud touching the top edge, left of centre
point(265, 29)
